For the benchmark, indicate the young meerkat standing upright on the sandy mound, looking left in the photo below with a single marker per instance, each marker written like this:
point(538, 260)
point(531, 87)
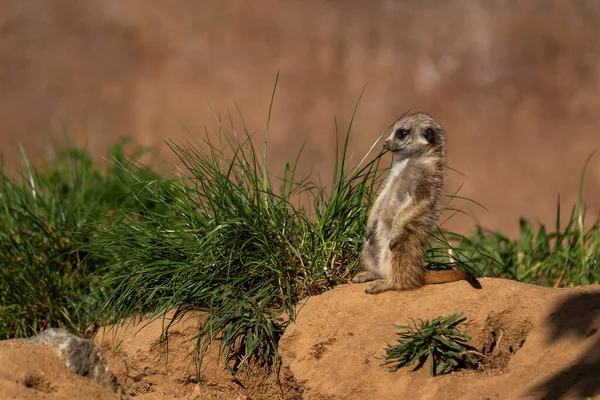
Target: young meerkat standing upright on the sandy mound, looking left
point(404, 215)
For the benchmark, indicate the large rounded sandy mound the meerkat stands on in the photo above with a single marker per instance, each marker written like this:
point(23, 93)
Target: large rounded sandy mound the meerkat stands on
point(541, 342)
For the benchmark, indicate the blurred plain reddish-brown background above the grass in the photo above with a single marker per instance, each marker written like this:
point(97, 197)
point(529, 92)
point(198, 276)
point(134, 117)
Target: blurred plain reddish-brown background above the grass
point(515, 83)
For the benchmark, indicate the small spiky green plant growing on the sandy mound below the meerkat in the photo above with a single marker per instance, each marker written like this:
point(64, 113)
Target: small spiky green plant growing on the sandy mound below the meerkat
point(439, 341)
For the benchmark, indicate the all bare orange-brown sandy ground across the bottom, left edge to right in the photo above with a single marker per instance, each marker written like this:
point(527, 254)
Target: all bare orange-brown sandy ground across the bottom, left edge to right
point(539, 343)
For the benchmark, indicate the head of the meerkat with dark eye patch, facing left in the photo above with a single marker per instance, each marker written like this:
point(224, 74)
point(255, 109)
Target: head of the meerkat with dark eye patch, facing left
point(414, 135)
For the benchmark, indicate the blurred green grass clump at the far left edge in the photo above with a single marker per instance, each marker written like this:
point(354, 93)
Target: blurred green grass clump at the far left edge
point(49, 217)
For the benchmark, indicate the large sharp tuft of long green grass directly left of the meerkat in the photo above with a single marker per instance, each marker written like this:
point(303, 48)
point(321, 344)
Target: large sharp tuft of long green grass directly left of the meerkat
point(236, 244)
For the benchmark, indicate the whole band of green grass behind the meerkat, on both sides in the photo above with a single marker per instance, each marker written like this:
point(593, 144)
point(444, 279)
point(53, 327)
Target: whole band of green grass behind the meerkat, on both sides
point(83, 247)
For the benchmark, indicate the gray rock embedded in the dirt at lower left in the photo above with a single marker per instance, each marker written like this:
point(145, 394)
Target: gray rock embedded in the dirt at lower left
point(81, 356)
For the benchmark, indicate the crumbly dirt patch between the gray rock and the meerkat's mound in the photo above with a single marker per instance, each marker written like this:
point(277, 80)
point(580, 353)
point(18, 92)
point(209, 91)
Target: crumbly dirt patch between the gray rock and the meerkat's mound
point(152, 366)
